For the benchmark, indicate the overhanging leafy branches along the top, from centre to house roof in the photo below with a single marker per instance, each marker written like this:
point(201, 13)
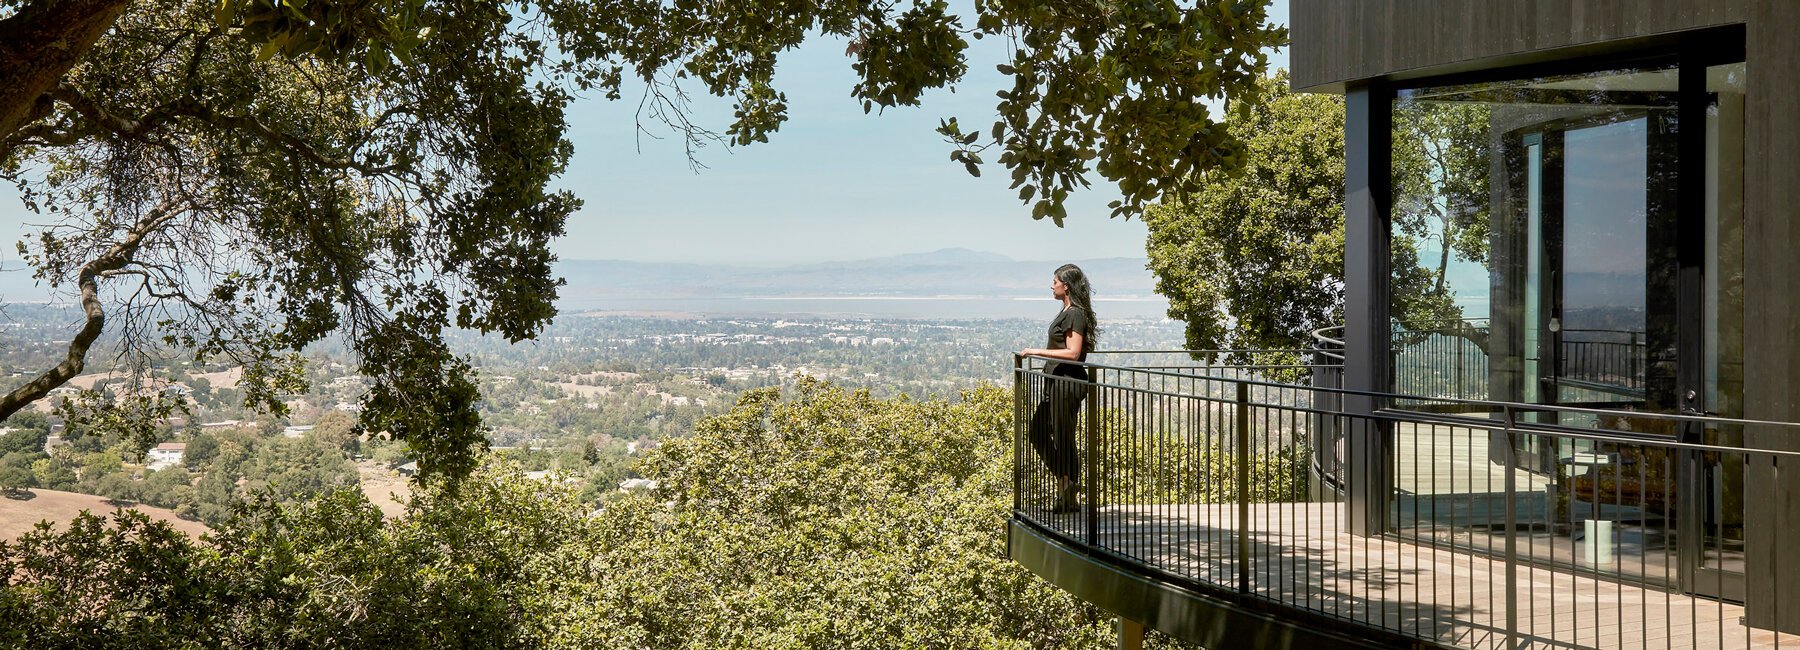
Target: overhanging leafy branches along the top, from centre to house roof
point(1097, 89)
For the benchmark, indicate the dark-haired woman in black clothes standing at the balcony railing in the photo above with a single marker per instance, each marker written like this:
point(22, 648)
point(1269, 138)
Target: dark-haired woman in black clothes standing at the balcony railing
point(1072, 338)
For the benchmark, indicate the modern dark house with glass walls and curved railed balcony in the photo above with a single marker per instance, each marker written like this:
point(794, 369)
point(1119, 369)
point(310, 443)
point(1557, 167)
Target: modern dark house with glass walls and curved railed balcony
point(1581, 433)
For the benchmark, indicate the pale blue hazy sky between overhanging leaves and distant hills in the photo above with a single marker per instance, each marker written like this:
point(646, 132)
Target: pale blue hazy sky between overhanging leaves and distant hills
point(832, 185)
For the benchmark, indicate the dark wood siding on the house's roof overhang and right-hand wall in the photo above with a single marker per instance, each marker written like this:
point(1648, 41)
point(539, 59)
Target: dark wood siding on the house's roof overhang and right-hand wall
point(1340, 44)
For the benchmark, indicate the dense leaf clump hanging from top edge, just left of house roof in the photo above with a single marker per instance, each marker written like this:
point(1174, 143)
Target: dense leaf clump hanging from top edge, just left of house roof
point(1117, 84)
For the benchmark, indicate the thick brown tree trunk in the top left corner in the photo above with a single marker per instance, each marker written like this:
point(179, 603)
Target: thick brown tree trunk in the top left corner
point(37, 50)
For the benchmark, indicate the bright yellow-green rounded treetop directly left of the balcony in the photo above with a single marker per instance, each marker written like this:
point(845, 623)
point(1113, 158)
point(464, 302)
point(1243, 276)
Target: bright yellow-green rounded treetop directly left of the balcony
point(832, 519)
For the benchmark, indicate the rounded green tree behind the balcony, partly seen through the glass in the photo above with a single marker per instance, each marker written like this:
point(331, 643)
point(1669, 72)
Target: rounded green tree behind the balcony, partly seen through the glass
point(1255, 260)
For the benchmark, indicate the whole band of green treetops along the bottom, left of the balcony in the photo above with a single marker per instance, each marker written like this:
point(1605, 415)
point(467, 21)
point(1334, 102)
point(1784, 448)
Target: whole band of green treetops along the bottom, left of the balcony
point(825, 519)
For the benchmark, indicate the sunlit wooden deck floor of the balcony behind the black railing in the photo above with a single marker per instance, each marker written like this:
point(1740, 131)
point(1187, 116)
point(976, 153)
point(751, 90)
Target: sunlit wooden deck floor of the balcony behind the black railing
point(1302, 557)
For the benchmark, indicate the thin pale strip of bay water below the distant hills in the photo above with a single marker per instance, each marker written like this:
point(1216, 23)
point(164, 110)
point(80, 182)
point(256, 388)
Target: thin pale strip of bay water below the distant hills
point(874, 307)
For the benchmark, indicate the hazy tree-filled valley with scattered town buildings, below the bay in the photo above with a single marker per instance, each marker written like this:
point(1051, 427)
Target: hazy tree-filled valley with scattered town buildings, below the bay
point(582, 401)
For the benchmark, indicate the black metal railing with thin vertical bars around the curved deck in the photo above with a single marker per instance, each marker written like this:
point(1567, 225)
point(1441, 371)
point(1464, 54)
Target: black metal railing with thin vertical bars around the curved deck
point(1506, 527)
